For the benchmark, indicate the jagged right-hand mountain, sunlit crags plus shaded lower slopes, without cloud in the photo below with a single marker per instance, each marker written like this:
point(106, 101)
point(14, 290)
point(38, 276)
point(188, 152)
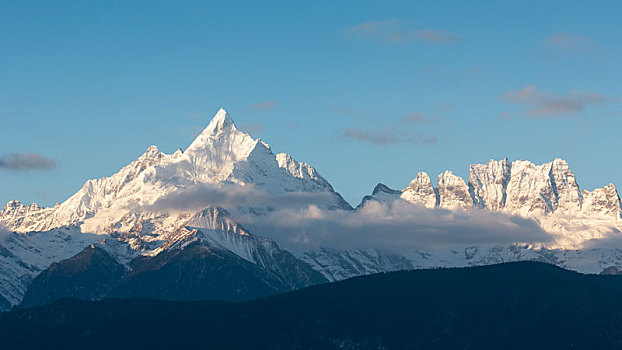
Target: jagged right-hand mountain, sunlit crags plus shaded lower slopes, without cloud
point(547, 193)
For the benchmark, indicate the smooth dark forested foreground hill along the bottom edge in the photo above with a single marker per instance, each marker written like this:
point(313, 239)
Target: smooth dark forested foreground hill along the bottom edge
point(515, 305)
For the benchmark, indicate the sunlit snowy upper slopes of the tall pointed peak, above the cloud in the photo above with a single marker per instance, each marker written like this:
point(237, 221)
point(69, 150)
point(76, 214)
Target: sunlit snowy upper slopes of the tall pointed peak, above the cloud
point(221, 154)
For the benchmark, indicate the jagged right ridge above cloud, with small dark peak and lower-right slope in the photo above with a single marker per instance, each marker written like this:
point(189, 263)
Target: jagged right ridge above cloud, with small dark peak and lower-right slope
point(547, 193)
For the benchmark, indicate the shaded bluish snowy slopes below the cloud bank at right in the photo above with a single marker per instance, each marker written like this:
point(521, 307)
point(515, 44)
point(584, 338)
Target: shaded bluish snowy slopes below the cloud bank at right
point(336, 265)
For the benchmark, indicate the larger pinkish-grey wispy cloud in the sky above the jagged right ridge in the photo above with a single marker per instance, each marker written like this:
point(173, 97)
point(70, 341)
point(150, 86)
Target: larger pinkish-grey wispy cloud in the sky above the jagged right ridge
point(542, 103)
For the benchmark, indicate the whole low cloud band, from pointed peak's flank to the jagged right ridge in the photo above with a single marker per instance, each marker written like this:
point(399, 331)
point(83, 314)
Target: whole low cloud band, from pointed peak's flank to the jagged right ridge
point(297, 221)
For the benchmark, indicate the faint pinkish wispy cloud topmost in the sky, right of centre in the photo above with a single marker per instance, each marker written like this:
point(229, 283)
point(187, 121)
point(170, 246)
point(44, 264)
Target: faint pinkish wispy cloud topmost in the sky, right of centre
point(396, 31)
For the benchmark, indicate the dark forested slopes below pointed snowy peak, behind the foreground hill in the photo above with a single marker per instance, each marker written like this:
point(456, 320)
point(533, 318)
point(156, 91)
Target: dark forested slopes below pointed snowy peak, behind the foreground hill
point(197, 272)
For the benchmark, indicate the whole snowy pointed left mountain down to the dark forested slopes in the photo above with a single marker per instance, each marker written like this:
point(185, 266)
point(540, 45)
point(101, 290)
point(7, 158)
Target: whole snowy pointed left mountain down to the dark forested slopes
point(127, 216)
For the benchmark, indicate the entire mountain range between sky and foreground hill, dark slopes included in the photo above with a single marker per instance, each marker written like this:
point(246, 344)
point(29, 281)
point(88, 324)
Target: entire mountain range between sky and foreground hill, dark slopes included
point(184, 226)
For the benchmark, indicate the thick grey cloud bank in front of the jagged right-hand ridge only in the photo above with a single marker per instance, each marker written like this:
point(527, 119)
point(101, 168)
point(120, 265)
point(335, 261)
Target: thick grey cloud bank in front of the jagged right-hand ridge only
point(398, 227)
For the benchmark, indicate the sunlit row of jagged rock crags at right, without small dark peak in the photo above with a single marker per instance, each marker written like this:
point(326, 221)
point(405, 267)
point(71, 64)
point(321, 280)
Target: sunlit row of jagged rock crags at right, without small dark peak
point(519, 187)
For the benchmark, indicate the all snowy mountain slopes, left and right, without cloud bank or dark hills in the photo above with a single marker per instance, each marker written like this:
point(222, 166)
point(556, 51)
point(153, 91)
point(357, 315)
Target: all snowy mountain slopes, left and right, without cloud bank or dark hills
point(161, 202)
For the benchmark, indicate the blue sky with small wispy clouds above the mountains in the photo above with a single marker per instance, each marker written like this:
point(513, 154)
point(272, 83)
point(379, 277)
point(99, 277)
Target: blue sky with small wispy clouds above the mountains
point(366, 92)
